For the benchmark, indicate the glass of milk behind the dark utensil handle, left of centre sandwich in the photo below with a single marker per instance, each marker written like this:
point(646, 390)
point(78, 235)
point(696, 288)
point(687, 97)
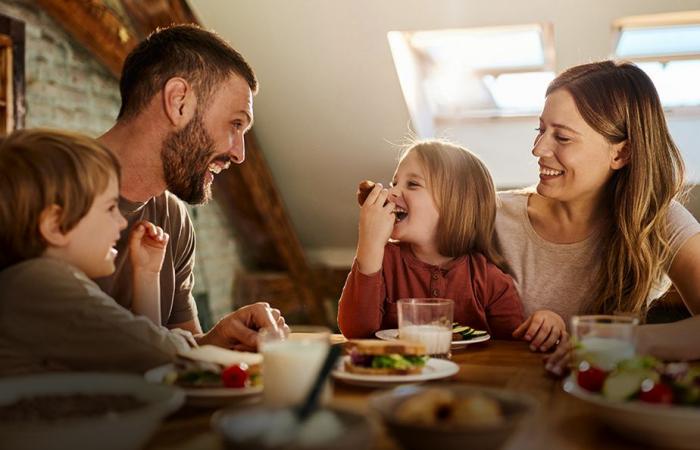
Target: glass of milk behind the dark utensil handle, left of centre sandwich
point(291, 362)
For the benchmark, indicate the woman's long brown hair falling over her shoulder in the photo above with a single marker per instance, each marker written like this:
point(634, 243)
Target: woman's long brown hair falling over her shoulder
point(619, 101)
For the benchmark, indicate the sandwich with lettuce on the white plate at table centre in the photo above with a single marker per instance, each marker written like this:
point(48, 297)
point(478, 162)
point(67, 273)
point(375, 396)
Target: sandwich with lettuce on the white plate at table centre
point(372, 357)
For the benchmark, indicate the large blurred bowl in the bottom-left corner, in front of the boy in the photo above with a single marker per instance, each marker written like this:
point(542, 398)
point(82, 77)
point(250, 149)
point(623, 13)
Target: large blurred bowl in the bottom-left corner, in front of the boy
point(117, 431)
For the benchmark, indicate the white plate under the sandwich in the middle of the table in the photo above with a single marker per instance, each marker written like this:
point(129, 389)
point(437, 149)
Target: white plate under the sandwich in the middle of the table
point(434, 369)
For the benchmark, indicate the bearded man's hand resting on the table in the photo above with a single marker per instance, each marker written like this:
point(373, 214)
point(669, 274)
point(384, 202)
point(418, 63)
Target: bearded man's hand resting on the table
point(239, 330)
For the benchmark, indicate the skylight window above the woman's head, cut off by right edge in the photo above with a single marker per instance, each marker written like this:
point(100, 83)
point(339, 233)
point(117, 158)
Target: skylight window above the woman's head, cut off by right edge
point(667, 48)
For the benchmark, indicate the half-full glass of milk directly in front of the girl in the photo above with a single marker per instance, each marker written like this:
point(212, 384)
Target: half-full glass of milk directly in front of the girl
point(428, 321)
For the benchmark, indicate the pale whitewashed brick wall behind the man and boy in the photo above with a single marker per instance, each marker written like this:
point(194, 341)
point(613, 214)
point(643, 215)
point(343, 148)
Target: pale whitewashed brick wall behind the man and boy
point(66, 88)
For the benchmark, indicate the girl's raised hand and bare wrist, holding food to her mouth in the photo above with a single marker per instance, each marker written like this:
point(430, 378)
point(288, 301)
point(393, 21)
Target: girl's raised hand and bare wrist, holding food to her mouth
point(376, 224)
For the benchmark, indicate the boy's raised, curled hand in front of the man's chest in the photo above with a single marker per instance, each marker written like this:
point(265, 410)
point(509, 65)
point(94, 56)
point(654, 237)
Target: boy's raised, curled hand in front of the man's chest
point(147, 246)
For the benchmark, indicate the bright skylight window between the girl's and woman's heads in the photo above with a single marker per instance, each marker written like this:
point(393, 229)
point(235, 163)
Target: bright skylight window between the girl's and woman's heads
point(476, 72)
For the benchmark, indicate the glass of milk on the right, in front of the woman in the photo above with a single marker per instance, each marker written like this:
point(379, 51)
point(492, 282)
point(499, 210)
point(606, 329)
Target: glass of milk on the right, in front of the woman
point(603, 341)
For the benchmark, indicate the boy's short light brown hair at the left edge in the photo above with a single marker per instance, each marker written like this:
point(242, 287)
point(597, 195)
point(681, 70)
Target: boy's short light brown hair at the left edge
point(40, 168)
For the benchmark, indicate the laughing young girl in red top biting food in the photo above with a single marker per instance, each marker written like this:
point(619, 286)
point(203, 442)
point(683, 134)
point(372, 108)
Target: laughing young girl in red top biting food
point(440, 214)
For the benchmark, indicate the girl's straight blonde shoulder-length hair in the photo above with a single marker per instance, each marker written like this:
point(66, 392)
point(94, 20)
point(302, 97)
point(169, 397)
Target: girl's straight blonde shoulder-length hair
point(465, 197)
